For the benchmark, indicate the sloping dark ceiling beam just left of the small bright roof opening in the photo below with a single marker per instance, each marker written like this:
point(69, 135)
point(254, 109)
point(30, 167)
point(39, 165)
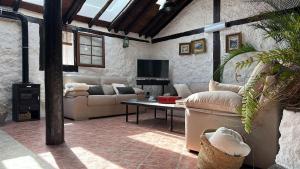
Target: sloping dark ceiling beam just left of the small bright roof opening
point(141, 11)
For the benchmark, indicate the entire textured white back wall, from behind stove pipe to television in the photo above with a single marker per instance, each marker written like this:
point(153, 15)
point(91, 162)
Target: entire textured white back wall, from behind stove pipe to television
point(120, 62)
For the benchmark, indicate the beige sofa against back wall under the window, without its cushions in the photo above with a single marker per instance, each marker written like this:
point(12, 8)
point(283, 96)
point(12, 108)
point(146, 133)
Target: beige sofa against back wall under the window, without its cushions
point(93, 106)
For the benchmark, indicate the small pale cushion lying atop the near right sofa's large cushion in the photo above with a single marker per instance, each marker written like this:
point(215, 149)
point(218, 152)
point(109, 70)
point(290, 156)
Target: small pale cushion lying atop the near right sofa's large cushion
point(216, 86)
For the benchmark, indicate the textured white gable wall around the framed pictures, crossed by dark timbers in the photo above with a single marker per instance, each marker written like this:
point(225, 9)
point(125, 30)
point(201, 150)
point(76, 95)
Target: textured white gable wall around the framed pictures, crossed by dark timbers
point(199, 68)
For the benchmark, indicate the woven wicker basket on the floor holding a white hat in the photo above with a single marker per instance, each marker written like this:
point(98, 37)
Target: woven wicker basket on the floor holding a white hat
point(210, 157)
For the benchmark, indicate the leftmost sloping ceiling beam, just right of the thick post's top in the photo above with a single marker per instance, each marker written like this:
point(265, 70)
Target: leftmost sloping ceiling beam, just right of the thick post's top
point(72, 11)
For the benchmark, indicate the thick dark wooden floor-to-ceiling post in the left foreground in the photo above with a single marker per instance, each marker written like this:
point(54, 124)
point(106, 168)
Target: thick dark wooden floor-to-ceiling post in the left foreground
point(53, 72)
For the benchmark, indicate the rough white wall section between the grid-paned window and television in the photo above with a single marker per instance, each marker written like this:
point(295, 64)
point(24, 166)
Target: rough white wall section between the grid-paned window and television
point(119, 61)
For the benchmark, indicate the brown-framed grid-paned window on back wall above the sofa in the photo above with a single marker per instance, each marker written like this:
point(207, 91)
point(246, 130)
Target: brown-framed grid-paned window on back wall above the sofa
point(90, 50)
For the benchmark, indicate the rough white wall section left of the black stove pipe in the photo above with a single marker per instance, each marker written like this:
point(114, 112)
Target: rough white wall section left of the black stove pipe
point(10, 59)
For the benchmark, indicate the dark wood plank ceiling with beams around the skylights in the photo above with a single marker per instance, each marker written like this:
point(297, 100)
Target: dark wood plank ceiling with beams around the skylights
point(139, 16)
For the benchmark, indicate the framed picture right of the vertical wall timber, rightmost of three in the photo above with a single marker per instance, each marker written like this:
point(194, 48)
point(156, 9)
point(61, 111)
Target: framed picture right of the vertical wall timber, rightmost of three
point(233, 42)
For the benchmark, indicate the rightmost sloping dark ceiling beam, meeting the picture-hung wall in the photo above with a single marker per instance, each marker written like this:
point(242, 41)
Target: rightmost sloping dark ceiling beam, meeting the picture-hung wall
point(164, 23)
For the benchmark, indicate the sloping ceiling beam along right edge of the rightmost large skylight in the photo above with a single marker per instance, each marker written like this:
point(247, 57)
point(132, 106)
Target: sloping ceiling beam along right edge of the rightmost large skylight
point(122, 15)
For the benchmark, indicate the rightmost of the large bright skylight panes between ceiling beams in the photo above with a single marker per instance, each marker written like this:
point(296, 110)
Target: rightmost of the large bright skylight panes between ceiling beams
point(113, 10)
